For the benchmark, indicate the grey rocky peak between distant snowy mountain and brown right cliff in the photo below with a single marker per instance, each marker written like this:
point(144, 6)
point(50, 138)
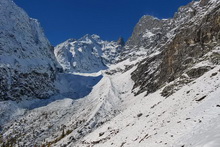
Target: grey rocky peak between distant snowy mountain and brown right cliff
point(148, 36)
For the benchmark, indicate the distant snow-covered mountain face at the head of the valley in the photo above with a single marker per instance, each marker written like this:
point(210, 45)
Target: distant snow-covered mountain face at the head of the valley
point(88, 54)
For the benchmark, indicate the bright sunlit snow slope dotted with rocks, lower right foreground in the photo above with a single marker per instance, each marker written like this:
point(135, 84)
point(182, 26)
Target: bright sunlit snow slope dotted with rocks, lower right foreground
point(189, 117)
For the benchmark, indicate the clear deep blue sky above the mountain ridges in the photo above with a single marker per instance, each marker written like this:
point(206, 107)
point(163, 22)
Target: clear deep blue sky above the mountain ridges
point(64, 19)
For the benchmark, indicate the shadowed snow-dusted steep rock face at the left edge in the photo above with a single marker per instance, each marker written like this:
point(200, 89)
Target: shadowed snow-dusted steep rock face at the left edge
point(27, 63)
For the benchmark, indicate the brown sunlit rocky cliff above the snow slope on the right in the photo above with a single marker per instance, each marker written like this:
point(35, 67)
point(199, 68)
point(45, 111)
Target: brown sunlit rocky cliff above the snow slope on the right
point(190, 45)
